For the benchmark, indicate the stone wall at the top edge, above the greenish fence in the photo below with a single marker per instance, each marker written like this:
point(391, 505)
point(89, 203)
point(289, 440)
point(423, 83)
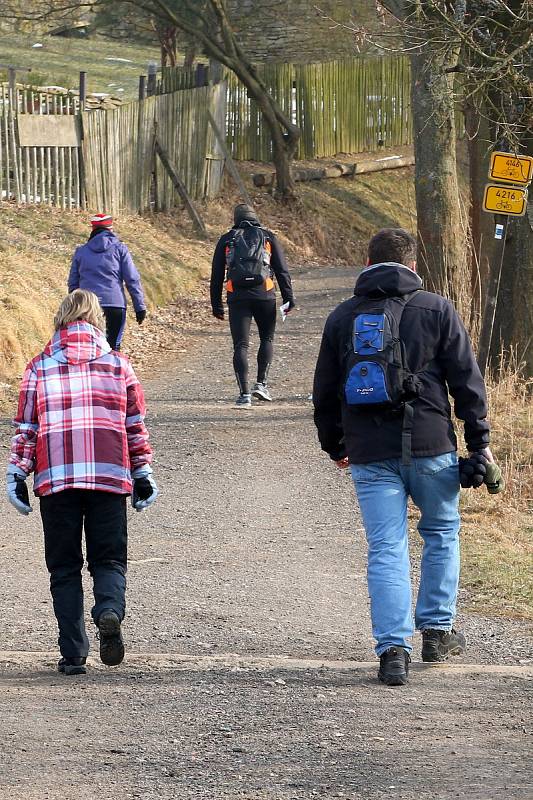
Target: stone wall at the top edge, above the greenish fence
point(293, 30)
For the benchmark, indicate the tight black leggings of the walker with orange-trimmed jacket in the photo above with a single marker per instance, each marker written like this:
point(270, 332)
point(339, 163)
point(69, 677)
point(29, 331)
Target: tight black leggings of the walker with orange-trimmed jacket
point(241, 313)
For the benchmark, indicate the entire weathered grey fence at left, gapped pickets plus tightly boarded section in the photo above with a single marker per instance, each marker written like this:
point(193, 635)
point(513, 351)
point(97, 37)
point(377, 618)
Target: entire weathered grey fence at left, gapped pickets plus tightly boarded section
point(111, 163)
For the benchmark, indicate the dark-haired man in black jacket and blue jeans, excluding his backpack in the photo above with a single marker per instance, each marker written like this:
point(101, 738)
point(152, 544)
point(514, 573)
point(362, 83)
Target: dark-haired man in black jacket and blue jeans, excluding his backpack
point(369, 441)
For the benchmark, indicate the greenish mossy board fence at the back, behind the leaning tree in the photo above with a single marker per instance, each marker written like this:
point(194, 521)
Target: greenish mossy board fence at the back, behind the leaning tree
point(347, 106)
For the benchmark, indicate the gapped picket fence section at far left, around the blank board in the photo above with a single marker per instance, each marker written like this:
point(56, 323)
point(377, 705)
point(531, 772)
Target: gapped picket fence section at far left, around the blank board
point(49, 175)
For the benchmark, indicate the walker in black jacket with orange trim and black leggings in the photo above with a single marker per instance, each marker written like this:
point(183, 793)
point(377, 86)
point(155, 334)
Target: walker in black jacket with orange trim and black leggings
point(245, 304)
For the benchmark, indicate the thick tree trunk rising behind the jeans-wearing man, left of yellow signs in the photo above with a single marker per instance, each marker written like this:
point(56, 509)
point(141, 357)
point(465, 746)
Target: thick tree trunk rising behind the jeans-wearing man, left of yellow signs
point(441, 234)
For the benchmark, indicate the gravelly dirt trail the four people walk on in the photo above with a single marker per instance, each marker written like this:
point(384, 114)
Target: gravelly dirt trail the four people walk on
point(250, 670)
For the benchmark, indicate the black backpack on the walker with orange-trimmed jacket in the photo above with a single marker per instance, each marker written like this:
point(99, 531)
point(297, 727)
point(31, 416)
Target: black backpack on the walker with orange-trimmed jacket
point(248, 257)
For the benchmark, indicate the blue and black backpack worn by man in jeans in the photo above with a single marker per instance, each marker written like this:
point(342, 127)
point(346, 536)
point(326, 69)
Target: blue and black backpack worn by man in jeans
point(376, 369)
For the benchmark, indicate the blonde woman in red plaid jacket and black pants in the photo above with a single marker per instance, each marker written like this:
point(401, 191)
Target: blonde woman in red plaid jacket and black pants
point(80, 429)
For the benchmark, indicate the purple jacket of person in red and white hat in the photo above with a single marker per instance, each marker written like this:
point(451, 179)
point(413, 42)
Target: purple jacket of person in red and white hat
point(103, 265)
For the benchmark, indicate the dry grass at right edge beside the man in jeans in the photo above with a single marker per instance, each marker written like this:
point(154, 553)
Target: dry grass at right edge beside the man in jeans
point(498, 529)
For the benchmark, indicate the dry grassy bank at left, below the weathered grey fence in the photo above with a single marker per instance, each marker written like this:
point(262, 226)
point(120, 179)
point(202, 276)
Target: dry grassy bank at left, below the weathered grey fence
point(35, 253)
